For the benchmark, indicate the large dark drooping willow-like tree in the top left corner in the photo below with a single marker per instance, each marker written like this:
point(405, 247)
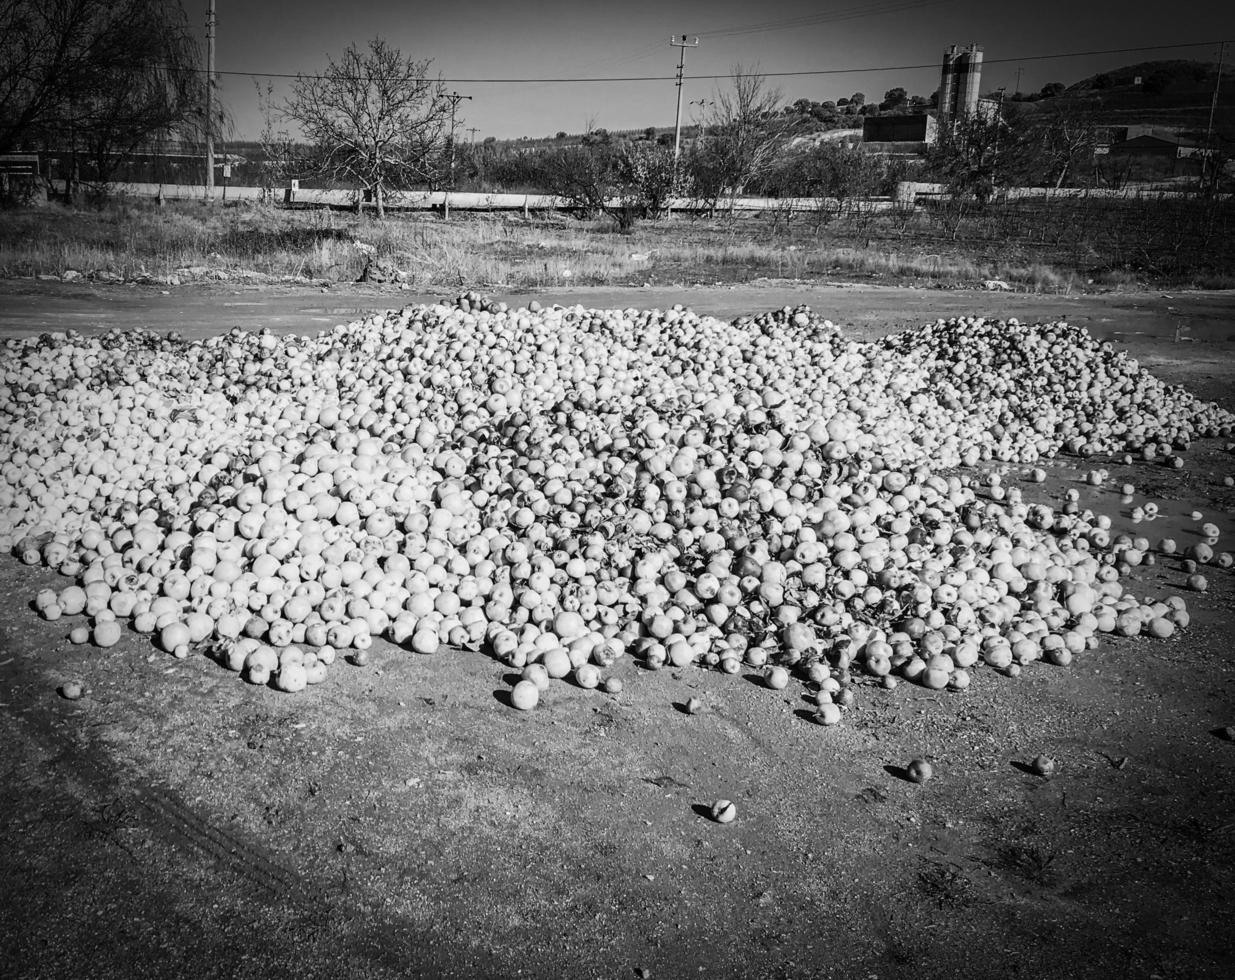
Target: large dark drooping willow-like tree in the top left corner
point(106, 76)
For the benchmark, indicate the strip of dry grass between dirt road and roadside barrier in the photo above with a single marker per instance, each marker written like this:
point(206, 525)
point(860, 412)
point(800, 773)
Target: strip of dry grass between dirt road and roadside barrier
point(491, 251)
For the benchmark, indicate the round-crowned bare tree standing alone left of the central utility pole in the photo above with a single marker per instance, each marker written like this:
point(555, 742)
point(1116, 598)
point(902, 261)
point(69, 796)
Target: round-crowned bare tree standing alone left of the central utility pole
point(375, 118)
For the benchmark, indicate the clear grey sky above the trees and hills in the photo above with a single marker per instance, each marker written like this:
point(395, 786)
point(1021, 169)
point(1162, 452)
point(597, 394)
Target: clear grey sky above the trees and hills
point(474, 43)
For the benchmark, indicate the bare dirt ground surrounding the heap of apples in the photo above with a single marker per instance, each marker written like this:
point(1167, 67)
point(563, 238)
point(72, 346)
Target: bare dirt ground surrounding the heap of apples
point(402, 820)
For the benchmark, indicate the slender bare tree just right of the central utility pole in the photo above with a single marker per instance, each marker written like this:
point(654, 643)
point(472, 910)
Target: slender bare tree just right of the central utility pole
point(747, 131)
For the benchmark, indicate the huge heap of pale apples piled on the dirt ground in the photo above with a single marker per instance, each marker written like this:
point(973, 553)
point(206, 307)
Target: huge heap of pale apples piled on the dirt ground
point(567, 487)
